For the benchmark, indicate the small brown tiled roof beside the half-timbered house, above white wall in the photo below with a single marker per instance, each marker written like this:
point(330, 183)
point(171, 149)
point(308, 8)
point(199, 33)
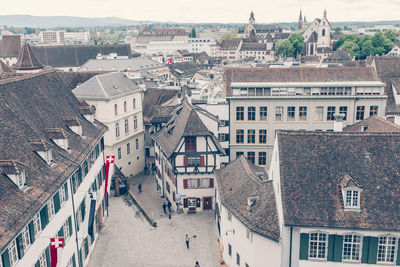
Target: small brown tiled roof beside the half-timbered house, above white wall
point(240, 180)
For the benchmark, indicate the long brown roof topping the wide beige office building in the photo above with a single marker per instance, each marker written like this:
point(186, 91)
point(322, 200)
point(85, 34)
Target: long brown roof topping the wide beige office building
point(297, 75)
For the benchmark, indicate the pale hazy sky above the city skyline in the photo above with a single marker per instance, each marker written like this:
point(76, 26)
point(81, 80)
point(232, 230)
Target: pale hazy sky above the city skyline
point(223, 11)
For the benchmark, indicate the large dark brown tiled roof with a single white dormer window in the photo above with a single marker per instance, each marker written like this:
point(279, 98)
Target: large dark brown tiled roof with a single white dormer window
point(313, 166)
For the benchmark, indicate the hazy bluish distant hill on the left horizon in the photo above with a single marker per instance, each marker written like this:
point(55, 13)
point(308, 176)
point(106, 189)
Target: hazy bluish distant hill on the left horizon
point(62, 21)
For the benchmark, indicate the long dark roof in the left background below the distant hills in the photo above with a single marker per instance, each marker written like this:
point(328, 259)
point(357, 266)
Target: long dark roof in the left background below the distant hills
point(61, 56)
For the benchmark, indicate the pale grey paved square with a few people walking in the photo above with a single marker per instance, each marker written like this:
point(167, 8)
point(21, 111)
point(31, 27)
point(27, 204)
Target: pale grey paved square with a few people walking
point(128, 240)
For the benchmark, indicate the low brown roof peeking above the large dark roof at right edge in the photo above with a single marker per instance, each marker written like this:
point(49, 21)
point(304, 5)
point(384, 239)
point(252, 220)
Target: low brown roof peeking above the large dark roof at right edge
point(373, 124)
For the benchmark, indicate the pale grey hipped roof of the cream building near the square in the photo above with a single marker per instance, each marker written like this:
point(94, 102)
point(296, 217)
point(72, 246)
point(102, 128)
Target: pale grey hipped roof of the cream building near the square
point(106, 86)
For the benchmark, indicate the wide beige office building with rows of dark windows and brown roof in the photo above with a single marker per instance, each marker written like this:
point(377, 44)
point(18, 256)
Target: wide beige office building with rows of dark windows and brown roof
point(263, 101)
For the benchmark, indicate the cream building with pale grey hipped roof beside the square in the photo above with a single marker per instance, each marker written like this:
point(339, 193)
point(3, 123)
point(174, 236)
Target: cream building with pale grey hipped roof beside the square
point(118, 104)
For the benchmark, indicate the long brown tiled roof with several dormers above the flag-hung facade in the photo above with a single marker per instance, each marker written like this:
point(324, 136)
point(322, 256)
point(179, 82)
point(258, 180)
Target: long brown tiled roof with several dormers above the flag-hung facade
point(30, 105)
